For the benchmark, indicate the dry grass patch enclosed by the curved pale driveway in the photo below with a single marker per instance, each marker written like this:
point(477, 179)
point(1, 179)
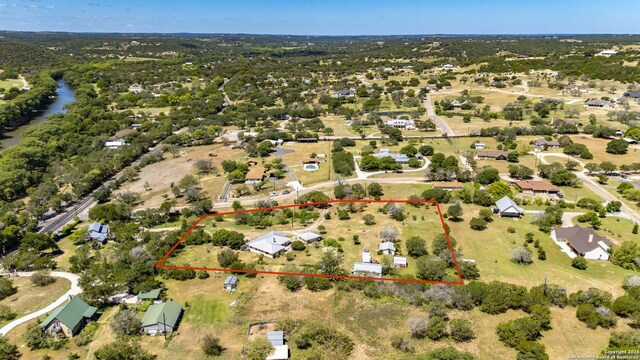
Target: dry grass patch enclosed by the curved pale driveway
point(30, 298)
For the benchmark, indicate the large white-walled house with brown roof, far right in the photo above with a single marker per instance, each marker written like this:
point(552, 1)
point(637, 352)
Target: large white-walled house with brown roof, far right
point(583, 242)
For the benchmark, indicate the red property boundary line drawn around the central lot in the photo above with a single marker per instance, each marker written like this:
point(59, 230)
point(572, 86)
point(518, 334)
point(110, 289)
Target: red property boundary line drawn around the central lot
point(159, 264)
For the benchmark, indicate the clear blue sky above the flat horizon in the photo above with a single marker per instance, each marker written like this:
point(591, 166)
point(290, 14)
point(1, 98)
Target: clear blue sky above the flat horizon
point(324, 17)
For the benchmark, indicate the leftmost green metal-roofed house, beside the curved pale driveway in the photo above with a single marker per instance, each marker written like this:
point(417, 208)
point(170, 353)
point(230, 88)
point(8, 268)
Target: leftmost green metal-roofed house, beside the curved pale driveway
point(70, 318)
